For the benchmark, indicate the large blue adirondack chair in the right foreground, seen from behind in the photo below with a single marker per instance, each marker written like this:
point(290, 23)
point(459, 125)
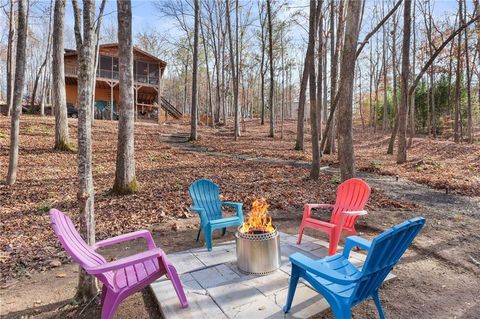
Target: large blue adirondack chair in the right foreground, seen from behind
point(340, 282)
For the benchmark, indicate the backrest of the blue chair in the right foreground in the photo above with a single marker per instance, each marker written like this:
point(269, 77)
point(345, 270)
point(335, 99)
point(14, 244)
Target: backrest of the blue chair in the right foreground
point(385, 251)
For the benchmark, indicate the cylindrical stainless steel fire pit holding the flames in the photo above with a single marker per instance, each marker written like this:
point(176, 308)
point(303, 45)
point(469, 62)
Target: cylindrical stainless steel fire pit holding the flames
point(258, 253)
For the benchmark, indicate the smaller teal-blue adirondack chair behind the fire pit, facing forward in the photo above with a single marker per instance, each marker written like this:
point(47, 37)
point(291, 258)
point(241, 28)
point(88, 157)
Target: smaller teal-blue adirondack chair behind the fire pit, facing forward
point(205, 196)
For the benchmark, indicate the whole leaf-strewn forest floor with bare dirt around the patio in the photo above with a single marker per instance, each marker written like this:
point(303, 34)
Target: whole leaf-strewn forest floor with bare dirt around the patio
point(438, 278)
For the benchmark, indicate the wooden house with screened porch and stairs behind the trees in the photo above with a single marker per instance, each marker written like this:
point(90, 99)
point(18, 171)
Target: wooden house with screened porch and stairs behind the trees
point(147, 69)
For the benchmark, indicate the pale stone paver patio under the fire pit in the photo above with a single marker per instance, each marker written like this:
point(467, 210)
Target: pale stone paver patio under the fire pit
point(215, 288)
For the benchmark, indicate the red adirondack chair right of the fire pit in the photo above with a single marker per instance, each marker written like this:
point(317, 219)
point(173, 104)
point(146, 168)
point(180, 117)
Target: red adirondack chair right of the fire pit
point(352, 195)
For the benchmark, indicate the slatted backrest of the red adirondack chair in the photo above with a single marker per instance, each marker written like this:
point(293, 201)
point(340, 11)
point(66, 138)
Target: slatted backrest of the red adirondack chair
point(352, 195)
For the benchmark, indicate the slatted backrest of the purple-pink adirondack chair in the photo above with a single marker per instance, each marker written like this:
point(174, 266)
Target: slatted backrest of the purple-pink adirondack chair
point(75, 246)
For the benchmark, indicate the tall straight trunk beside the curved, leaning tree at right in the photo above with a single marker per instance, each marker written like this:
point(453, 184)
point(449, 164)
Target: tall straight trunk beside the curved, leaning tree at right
point(403, 109)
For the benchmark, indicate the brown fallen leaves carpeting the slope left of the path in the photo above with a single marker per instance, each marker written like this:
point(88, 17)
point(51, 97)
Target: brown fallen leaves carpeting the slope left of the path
point(48, 178)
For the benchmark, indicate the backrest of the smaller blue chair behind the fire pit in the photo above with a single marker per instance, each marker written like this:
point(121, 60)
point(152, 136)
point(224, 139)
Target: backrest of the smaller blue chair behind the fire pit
point(206, 194)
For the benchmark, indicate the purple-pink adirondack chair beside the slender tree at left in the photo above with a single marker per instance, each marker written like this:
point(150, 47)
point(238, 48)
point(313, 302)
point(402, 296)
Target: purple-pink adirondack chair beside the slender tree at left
point(123, 277)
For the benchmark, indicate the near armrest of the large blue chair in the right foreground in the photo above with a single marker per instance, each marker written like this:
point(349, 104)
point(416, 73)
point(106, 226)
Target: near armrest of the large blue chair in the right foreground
point(319, 269)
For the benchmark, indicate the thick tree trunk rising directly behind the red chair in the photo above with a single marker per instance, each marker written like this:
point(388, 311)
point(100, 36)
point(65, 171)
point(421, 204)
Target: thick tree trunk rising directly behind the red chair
point(346, 155)
